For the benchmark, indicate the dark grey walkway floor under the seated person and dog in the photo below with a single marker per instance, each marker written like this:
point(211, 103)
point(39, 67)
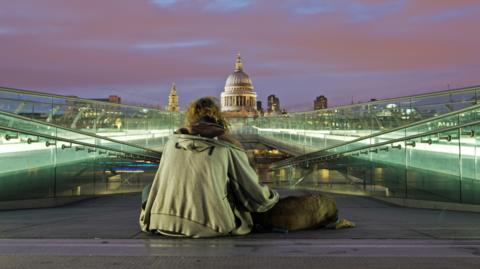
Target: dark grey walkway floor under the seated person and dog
point(103, 233)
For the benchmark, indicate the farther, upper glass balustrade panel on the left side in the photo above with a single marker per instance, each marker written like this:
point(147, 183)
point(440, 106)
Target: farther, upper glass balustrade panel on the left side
point(146, 127)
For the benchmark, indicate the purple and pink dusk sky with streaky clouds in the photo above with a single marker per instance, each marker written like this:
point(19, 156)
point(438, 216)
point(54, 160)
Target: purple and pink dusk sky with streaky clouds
point(295, 49)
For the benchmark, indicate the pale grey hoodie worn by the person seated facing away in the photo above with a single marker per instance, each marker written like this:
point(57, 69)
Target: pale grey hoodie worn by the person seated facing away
point(204, 187)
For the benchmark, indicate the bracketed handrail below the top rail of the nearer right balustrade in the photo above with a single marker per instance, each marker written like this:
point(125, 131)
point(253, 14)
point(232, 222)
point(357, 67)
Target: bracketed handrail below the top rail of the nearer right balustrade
point(396, 140)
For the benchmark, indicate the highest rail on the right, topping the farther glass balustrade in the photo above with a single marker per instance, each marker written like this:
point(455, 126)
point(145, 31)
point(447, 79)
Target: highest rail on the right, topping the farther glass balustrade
point(417, 96)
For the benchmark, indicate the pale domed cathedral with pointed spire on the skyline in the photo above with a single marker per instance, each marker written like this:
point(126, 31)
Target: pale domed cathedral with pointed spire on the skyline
point(238, 98)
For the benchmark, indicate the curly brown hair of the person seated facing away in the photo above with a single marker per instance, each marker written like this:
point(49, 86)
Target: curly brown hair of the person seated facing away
point(205, 107)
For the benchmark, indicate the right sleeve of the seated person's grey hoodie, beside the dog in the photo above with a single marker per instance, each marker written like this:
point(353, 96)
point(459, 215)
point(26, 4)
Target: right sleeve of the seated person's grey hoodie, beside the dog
point(245, 184)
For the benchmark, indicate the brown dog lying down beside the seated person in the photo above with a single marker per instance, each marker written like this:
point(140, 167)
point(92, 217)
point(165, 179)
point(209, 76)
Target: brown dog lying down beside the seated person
point(295, 213)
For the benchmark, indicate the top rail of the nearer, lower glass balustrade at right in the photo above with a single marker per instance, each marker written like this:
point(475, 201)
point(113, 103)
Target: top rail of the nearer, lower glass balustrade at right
point(392, 130)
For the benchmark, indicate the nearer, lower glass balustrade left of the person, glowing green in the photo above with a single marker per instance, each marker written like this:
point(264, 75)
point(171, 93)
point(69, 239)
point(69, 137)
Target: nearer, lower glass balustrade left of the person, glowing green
point(37, 165)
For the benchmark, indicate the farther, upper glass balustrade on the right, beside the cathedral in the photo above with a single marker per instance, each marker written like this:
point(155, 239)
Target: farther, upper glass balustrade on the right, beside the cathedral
point(316, 130)
